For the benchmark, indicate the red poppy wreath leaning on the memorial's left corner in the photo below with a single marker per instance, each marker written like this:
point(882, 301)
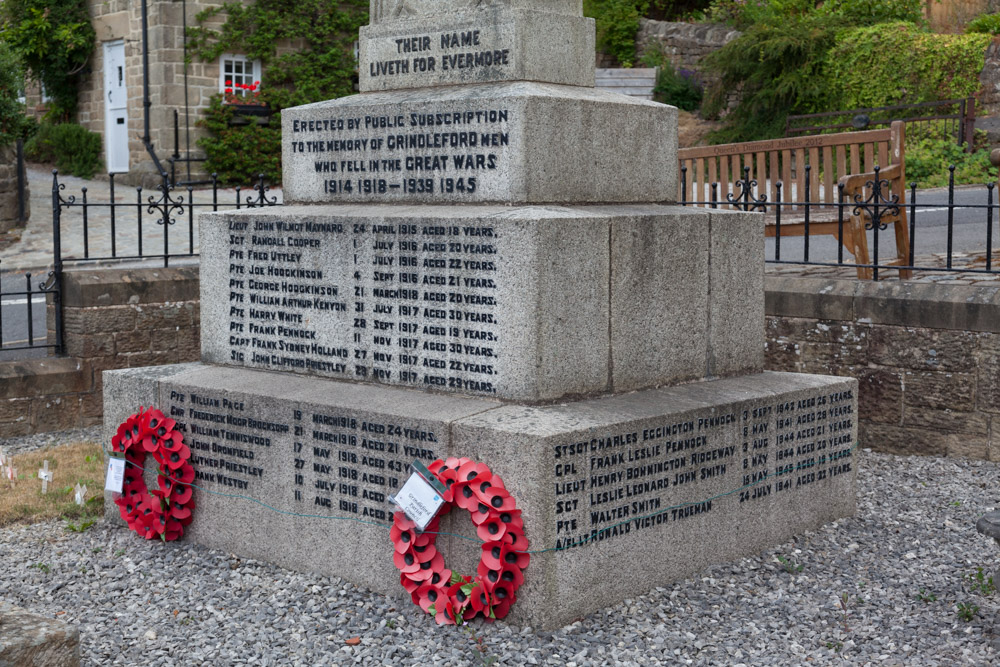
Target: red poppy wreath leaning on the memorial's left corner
point(164, 512)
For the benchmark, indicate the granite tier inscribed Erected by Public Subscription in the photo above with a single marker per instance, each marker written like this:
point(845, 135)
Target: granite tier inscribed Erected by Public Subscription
point(520, 142)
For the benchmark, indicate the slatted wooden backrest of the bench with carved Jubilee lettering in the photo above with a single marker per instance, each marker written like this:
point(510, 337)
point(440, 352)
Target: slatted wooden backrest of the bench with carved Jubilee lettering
point(830, 156)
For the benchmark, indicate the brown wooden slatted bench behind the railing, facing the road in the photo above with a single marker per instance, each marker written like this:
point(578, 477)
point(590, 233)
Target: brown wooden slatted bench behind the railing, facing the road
point(847, 159)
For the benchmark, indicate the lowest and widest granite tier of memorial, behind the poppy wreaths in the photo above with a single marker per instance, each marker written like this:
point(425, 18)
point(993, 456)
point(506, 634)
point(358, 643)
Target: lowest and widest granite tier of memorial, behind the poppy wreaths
point(619, 493)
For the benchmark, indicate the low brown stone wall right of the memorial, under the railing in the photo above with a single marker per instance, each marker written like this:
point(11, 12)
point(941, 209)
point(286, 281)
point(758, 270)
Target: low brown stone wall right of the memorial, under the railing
point(927, 357)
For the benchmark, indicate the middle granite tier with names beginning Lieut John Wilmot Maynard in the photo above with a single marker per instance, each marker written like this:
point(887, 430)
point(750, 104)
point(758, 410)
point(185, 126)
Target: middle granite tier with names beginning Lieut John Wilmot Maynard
point(529, 303)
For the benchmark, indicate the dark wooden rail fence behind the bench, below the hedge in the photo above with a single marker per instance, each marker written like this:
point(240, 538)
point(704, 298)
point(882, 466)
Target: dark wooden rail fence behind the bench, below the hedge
point(957, 117)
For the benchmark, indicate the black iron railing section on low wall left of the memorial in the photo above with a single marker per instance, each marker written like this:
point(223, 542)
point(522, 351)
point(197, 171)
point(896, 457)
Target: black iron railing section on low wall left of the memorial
point(141, 229)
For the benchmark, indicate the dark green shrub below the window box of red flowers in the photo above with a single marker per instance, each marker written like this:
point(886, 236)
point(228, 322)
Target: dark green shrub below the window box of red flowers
point(238, 153)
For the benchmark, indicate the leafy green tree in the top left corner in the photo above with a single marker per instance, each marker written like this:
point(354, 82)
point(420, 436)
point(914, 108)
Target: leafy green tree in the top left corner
point(54, 40)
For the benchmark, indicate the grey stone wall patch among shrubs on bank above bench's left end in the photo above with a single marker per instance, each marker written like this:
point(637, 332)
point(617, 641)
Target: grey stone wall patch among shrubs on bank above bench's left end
point(684, 43)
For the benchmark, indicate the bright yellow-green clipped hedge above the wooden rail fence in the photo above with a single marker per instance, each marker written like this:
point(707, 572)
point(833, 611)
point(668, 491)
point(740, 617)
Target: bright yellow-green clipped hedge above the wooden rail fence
point(898, 63)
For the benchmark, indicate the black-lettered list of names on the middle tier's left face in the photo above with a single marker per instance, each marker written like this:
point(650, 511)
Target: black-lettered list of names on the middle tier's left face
point(400, 303)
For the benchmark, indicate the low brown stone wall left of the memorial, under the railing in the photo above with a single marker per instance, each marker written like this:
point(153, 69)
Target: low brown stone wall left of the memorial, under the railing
point(113, 319)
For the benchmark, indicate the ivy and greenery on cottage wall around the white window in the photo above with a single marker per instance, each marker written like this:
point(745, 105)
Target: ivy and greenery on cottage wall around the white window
point(306, 53)
